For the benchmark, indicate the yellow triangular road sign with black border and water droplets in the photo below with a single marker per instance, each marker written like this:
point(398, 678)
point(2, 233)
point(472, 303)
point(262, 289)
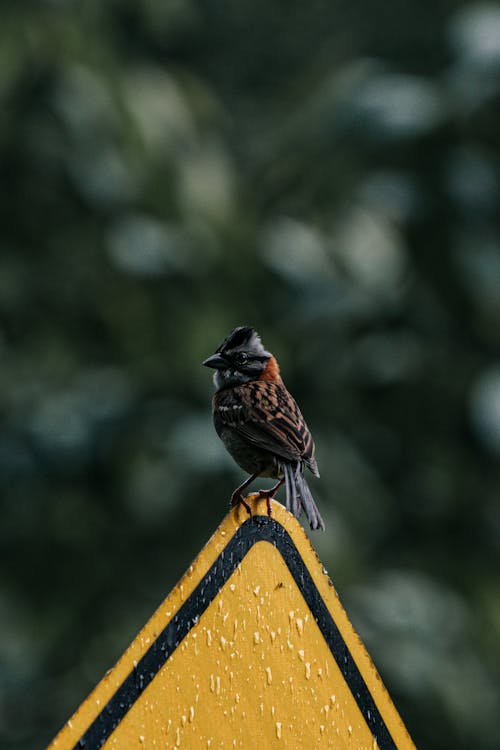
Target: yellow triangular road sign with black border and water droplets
point(252, 649)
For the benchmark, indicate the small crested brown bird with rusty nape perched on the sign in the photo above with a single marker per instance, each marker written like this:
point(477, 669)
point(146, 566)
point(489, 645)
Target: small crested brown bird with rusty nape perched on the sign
point(260, 424)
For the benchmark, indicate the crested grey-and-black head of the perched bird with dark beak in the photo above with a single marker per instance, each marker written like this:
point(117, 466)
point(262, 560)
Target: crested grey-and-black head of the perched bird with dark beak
point(241, 358)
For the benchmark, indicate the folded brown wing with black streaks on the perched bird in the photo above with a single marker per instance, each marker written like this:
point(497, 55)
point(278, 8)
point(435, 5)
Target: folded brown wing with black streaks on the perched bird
point(266, 415)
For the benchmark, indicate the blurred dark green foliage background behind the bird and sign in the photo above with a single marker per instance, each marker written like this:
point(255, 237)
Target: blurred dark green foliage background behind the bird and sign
point(325, 171)
